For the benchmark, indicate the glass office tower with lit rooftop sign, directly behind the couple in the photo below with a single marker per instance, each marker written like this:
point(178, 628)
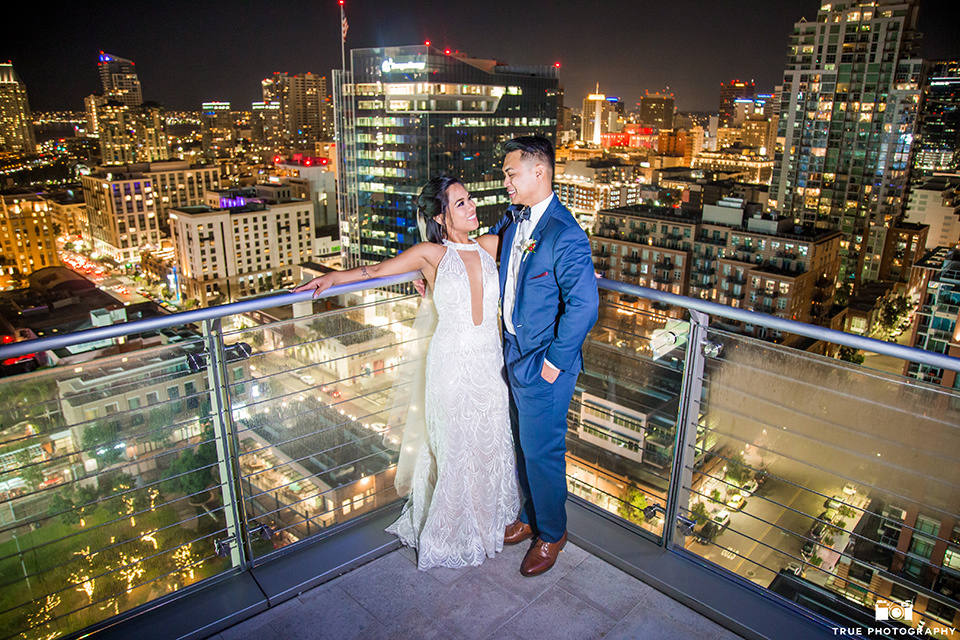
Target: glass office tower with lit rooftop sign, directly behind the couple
point(406, 114)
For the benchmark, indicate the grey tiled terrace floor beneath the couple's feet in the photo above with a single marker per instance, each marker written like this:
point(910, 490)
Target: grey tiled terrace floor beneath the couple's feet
point(581, 598)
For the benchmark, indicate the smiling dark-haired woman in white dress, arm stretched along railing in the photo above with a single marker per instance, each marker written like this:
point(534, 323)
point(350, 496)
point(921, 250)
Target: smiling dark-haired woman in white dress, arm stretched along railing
point(464, 490)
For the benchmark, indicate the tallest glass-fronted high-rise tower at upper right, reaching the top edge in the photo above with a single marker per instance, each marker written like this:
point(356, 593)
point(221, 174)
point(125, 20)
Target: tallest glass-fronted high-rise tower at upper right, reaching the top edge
point(849, 103)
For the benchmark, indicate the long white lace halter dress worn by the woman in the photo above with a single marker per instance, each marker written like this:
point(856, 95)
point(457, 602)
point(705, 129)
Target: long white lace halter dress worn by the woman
point(464, 488)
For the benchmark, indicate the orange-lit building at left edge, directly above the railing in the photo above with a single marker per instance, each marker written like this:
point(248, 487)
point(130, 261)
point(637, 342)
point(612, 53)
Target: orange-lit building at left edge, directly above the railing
point(28, 242)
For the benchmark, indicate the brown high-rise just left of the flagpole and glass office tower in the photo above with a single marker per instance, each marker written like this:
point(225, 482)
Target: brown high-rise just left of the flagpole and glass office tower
point(305, 108)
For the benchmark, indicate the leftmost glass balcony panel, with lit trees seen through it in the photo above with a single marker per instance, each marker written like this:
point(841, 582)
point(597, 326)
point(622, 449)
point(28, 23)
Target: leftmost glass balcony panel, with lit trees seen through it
point(111, 493)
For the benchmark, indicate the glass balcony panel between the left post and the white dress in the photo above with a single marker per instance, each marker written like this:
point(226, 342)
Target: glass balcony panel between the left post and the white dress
point(311, 423)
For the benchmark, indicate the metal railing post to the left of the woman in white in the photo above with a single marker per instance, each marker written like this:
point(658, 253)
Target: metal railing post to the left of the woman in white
point(238, 541)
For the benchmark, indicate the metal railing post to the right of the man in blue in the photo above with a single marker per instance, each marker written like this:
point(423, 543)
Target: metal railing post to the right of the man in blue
point(688, 417)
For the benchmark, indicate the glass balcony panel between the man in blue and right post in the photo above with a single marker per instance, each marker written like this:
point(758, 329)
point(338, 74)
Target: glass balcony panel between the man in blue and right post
point(624, 412)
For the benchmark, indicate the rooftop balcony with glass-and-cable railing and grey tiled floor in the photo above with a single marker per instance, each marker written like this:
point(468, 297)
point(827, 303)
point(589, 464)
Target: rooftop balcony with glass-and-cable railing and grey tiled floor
point(179, 490)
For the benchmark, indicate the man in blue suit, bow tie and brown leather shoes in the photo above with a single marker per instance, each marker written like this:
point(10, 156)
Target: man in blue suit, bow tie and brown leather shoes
point(550, 301)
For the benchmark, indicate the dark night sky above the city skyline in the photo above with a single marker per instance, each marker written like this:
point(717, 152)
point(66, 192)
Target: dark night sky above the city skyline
point(188, 52)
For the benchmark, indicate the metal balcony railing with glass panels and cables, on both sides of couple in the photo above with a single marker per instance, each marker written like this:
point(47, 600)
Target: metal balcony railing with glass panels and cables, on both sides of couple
point(130, 477)
